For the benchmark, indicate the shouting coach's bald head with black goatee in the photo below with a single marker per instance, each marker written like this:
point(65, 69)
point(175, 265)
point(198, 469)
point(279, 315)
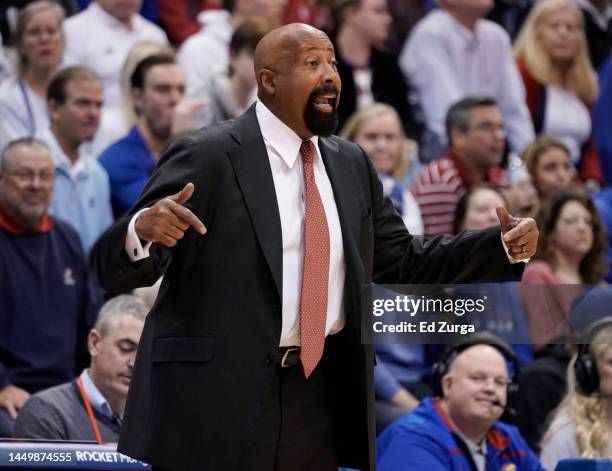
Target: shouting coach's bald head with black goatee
point(297, 78)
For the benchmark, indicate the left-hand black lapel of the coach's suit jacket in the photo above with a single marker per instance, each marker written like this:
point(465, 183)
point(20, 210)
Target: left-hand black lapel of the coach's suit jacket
point(252, 167)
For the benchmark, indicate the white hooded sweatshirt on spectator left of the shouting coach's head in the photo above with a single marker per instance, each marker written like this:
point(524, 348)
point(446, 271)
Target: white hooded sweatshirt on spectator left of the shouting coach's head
point(205, 54)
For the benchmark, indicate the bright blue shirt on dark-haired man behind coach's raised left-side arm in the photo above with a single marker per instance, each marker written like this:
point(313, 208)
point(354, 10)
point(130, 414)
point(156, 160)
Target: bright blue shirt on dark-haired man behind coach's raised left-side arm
point(129, 164)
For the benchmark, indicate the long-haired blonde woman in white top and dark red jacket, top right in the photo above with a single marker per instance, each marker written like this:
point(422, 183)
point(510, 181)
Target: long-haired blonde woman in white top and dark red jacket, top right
point(559, 80)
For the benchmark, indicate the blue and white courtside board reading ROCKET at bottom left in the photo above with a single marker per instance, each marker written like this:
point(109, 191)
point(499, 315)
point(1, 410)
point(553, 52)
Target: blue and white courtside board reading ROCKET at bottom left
point(62, 455)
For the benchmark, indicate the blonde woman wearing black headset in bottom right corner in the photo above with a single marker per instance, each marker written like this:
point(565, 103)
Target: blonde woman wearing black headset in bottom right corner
point(582, 425)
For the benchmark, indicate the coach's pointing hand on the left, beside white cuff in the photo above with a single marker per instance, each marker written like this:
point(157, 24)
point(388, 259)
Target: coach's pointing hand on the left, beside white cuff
point(167, 220)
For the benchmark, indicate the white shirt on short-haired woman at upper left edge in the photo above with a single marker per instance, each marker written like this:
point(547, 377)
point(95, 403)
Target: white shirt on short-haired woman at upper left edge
point(22, 112)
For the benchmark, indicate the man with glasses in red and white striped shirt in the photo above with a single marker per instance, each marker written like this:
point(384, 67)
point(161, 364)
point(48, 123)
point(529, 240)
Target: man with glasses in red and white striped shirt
point(477, 138)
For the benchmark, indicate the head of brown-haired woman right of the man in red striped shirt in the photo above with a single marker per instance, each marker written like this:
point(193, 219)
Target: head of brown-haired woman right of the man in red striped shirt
point(549, 163)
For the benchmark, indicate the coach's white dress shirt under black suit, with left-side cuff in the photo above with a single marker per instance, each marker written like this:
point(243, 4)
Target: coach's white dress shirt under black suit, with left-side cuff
point(283, 146)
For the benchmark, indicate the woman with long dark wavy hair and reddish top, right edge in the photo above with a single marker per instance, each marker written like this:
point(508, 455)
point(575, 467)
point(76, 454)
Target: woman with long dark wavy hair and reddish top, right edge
point(571, 253)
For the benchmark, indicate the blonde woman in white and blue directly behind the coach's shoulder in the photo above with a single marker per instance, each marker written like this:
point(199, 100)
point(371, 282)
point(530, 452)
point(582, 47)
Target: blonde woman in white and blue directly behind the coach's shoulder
point(378, 130)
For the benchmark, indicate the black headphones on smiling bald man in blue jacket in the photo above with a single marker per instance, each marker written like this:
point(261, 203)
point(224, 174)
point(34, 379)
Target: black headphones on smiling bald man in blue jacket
point(442, 366)
